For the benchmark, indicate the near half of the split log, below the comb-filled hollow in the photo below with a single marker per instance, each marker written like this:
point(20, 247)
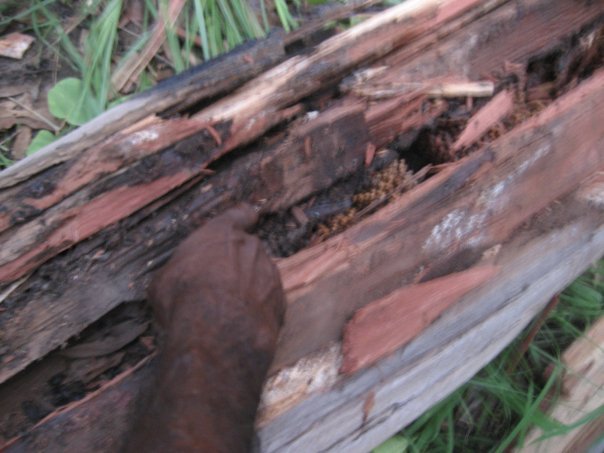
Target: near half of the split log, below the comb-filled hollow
point(464, 218)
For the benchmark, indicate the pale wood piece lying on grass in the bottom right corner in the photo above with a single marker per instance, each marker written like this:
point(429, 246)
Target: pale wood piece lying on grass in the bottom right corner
point(582, 393)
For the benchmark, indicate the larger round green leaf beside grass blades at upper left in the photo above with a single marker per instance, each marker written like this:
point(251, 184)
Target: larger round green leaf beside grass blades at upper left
point(68, 100)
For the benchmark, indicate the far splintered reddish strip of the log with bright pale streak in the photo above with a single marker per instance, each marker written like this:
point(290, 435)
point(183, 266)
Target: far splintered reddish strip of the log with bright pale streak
point(230, 122)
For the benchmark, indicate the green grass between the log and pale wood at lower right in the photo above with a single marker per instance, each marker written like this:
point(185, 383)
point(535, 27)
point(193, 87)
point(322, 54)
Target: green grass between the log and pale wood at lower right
point(498, 407)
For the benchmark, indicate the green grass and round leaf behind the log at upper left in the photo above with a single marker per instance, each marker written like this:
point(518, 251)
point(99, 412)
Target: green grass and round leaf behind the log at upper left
point(94, 48)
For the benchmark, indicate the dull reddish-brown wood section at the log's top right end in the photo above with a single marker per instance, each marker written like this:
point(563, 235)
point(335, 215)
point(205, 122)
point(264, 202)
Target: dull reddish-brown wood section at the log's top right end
point(524, 29)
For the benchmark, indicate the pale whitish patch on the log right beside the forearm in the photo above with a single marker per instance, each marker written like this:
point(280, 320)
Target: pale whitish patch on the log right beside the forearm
point(309, 375)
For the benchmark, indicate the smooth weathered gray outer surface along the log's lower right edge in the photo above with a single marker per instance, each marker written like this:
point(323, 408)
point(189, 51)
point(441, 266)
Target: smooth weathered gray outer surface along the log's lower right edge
point(446, 354)
